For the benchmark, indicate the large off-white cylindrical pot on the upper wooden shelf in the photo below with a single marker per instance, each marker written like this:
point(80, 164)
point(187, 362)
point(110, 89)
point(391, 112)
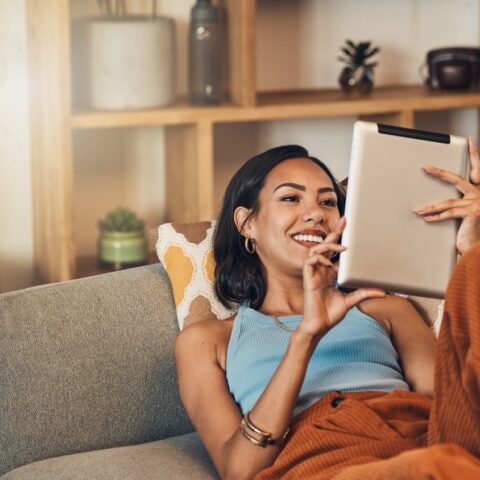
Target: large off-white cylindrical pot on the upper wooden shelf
point(129, 62)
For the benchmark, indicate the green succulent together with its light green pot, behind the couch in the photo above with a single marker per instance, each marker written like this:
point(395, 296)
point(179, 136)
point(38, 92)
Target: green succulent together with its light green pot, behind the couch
point(122, 242)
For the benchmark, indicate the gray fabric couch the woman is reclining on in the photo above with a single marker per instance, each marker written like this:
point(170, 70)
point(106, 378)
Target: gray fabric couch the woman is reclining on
point(87, 382)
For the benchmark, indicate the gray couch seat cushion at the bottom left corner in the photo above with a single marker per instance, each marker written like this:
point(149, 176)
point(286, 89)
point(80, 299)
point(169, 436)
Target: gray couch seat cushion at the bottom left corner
point(176, 458)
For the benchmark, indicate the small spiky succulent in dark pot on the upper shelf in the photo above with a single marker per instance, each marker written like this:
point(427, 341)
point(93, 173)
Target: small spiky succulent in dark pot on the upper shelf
point(357, 75)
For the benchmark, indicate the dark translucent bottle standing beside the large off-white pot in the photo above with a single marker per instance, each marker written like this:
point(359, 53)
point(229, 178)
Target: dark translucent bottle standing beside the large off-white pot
point(204, 62)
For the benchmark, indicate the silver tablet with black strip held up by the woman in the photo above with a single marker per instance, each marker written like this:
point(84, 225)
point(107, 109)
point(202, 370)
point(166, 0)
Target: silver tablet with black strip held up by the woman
point(388, 245)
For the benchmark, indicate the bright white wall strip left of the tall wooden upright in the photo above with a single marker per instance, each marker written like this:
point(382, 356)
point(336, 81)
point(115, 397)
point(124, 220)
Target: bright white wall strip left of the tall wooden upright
point(16, 243)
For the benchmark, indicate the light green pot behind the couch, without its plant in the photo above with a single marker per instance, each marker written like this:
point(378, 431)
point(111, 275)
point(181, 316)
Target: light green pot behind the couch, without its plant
point(119, 250)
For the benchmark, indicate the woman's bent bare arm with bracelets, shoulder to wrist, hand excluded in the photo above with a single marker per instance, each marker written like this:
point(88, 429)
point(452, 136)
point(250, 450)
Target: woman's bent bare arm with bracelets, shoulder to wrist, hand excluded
point(205, 394)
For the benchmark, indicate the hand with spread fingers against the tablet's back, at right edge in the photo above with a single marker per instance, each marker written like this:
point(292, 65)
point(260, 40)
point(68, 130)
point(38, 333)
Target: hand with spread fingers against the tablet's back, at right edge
point(466, 208)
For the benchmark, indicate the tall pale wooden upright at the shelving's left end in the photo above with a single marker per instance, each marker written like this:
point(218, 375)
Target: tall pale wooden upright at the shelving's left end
point(51, 143)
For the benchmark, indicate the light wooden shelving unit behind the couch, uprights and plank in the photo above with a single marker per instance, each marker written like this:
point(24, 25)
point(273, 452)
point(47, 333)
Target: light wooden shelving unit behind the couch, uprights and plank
point(189, 131)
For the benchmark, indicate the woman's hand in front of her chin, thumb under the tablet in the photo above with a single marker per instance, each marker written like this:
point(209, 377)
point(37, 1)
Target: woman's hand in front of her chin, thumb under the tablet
point(324, 305)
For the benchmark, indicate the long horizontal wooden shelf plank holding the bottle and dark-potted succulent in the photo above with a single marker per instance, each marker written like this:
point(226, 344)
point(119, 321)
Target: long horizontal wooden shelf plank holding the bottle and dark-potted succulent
point(288, 105)
